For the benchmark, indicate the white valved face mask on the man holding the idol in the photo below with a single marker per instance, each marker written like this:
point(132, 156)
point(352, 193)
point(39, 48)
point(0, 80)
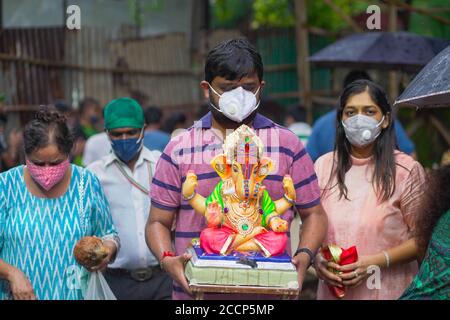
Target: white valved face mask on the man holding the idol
point(236, 104)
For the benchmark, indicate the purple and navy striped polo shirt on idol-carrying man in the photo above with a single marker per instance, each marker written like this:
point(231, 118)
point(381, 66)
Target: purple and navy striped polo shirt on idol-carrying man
point(197, 146)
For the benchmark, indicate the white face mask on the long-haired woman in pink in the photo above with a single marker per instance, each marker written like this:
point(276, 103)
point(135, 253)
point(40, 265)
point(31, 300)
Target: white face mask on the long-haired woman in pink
point(362, 130)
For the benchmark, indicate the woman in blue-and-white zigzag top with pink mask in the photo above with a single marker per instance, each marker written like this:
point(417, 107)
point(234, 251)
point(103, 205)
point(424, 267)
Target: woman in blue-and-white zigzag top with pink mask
point(45, 208)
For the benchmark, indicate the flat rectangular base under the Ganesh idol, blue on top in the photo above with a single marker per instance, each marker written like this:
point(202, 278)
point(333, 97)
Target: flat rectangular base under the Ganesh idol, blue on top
point(237, 269)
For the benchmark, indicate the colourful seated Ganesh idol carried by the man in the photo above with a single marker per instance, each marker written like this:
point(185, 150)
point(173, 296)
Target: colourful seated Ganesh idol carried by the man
point(240, 214)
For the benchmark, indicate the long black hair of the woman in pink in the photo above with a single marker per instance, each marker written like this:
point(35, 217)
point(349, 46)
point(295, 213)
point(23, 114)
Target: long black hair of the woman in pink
point(383, 178)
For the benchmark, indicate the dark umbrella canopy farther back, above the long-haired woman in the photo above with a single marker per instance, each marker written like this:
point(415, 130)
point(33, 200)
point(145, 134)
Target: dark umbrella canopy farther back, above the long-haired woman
point(380, 50)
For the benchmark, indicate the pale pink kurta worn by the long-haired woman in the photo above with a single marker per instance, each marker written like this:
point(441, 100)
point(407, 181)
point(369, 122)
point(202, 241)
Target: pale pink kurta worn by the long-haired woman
point(370, 225)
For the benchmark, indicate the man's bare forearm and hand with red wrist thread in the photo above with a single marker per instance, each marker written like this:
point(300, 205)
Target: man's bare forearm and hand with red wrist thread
point(157, 236)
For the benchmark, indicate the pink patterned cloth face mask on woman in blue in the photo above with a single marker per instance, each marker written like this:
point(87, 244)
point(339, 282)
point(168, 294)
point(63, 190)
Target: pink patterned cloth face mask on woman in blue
point(47, 176)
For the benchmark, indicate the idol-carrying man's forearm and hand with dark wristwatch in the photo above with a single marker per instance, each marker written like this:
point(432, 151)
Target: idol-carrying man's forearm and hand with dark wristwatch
point(312, 234)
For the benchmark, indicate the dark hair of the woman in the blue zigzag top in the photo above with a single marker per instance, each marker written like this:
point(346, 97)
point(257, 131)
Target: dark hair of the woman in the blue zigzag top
point(48, 126)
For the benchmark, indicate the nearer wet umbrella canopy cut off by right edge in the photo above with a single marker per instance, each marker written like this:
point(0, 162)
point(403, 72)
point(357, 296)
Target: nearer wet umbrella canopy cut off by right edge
point(431, 87)
